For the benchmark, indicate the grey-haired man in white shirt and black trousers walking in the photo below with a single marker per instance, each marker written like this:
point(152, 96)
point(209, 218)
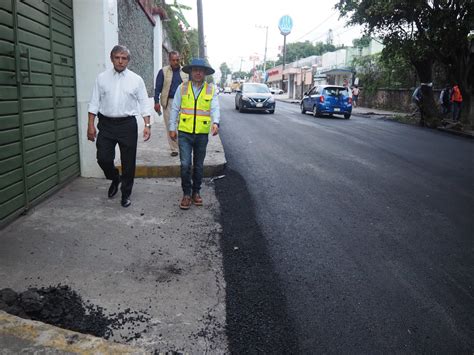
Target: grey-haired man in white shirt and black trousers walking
point(118, 96)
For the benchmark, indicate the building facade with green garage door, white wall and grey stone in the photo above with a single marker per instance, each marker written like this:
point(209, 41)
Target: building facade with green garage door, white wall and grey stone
point(50, 54)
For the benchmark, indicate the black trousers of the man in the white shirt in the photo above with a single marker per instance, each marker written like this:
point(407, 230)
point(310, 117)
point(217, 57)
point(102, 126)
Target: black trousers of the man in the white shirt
point(124, 132)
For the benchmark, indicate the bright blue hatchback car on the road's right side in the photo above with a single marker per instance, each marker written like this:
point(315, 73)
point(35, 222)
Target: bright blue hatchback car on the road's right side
point(327, 99)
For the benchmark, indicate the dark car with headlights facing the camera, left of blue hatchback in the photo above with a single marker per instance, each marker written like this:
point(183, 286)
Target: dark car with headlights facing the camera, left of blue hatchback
point(254, 97)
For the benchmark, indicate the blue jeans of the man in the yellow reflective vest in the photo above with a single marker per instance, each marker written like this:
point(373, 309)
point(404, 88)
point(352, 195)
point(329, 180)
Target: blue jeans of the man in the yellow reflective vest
point(194, 145)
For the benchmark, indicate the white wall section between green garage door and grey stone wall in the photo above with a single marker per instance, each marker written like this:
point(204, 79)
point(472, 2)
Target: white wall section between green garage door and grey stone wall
point(95, 33)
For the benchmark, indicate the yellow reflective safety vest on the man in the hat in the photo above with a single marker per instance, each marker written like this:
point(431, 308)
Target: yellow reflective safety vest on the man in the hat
point(195, 114)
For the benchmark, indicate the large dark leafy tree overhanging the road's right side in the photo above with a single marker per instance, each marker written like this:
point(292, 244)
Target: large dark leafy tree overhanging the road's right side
point(422, 31)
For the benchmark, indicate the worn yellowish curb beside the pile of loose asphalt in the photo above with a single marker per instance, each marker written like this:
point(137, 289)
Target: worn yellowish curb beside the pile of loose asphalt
point(20, 335)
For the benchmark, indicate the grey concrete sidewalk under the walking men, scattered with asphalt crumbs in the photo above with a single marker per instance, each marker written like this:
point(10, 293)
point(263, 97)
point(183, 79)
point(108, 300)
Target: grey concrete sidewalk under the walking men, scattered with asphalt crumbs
point(155, 270)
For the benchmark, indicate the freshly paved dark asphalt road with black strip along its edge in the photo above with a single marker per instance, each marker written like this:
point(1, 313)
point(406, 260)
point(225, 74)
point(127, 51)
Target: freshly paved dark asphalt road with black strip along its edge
point(345, 236)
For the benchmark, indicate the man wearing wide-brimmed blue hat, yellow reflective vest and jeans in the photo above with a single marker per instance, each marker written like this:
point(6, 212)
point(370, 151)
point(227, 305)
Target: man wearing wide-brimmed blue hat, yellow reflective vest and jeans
point(197, 105)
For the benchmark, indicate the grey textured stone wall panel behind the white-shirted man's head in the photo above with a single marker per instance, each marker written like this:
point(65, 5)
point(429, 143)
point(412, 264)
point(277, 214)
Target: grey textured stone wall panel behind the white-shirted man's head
point(136, 32)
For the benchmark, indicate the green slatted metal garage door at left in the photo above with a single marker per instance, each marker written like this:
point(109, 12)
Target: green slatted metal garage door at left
point(38, 124)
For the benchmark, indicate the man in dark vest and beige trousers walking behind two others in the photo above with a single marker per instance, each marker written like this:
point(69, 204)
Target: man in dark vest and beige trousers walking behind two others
point(167, 80)
